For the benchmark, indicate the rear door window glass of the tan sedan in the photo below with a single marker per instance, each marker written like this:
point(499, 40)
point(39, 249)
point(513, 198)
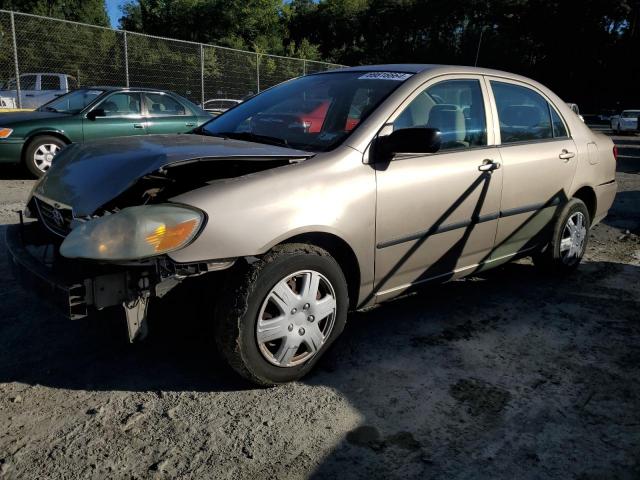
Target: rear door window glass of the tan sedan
point(524, 115)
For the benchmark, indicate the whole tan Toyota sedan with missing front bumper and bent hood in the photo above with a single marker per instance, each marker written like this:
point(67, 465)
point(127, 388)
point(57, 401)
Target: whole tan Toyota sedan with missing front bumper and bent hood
point(324, 194)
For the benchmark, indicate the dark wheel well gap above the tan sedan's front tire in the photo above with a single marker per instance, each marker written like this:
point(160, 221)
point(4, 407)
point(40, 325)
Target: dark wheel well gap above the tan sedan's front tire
point(342, 253)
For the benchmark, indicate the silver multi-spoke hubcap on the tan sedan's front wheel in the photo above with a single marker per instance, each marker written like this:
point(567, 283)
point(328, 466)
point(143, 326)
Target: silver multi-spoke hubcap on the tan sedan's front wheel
point(296, 318)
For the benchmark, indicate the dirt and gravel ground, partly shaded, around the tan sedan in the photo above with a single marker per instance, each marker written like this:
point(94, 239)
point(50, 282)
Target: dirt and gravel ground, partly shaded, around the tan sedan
point(508, 375)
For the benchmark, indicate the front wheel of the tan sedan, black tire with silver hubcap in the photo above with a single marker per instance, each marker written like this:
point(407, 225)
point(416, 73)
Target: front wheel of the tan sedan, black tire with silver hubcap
point(254, 297)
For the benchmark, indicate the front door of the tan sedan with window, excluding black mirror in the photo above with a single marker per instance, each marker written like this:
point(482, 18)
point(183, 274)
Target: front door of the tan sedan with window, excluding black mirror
point(437, 214)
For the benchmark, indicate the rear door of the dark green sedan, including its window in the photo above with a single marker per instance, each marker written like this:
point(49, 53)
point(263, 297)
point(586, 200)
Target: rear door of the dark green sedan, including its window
point(166, 114)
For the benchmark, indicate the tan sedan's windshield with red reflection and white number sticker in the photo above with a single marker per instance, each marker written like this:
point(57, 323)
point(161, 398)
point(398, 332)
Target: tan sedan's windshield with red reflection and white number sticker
point(313, 113)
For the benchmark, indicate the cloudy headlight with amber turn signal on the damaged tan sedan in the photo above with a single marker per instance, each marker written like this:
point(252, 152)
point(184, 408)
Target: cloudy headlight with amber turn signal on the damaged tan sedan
point(134, 233)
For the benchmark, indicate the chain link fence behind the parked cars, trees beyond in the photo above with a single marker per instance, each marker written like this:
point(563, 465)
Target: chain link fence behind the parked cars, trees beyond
point(87, 55)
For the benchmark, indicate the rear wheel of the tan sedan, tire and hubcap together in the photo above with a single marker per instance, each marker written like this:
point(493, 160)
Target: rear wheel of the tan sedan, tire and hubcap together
point(555, 257)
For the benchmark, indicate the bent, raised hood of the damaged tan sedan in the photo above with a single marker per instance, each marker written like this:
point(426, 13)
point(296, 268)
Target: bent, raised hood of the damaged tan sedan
point(86, 176)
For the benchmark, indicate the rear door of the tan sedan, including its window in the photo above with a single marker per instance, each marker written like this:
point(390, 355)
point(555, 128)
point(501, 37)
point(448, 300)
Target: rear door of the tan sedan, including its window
point(539, 160)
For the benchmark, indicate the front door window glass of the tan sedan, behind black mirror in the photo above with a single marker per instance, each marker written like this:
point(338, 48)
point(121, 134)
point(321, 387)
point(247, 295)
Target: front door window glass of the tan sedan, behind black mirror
point(455, 107)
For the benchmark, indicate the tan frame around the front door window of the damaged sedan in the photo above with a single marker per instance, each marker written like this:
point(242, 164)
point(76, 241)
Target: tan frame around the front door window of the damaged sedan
point(488, 113)
